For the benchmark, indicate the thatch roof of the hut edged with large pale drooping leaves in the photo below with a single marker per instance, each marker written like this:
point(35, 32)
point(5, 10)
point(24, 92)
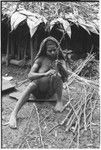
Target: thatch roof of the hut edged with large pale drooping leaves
point(83, 14)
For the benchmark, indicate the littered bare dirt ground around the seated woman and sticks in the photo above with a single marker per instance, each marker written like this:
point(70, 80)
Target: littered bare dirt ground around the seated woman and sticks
point(36, 119)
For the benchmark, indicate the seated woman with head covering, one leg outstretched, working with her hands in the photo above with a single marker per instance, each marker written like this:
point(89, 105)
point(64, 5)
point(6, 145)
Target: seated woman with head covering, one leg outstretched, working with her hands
point(46, 75)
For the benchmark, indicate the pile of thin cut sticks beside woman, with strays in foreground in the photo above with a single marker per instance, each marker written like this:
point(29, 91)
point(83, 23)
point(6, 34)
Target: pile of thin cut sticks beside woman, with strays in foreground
point(81, 109)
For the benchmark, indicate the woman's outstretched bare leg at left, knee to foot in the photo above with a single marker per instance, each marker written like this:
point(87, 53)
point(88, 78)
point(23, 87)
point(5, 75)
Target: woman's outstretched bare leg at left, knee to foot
point(25, 95)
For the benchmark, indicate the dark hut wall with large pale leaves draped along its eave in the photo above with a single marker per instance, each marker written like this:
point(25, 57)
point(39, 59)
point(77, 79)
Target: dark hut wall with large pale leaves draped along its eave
point(21, 37)
